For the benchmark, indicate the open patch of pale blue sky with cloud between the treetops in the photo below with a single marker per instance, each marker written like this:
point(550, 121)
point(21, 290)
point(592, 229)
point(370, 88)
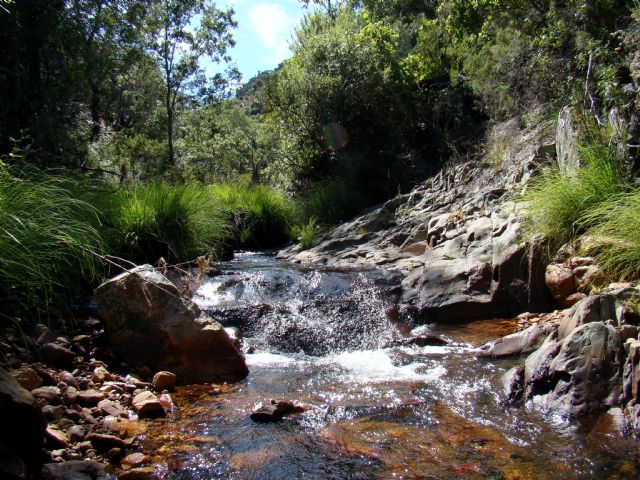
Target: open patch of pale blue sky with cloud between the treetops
point(263, 32)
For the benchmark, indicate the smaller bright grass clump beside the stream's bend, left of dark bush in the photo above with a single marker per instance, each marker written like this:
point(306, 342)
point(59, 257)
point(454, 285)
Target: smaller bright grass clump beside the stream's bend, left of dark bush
point(262, 215)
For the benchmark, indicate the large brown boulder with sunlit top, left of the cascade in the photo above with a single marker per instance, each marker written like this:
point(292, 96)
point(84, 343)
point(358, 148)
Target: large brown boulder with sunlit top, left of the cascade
point(149, 323)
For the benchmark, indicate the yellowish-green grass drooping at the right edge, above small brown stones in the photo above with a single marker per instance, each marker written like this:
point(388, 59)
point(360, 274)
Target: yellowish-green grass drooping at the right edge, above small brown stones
point(613, 237)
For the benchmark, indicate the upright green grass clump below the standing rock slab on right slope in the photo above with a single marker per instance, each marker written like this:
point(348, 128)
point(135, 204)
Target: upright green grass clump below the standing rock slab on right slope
point(556, 203)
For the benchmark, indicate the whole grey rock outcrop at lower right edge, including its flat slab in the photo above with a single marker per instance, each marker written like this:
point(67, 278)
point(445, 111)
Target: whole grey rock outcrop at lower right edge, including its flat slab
point(586, 364)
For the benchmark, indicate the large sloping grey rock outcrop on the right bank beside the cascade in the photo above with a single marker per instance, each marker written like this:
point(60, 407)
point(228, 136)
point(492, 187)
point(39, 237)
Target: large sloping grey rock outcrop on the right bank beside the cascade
point(455, 239)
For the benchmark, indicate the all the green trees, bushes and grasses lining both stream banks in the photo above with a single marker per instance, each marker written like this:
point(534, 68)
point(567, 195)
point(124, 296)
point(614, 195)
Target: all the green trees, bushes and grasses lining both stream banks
point(116, 145)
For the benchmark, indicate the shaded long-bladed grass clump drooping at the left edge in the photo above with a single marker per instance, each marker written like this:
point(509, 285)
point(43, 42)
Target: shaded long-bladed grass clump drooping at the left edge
point(49, 239)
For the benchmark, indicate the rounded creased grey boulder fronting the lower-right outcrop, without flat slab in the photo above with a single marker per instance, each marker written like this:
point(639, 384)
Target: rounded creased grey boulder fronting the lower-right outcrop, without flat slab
point(585, 374)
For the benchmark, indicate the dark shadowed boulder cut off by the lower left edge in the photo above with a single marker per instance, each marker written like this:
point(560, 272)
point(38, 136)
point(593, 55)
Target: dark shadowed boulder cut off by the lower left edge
point(22, 423)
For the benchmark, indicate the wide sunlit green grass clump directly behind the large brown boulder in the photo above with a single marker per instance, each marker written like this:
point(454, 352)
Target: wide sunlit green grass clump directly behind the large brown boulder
point(178, 223)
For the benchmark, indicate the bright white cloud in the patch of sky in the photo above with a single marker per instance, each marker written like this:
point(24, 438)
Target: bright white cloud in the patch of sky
point(272, 24)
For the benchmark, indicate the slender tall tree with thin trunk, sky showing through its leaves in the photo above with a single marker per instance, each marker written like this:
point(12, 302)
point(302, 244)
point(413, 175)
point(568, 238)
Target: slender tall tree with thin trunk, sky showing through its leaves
point(181, 33)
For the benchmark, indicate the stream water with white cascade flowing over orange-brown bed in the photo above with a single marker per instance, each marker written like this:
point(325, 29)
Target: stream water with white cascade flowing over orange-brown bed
point(377, 406)
